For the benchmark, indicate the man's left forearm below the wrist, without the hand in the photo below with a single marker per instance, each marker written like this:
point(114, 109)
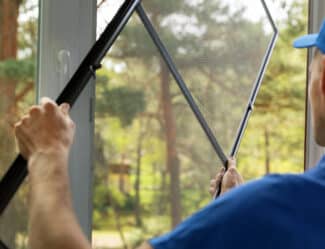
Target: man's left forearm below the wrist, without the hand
point(52, 220)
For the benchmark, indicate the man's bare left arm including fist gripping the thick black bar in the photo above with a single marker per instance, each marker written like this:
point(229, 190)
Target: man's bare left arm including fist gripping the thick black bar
point(44, 137)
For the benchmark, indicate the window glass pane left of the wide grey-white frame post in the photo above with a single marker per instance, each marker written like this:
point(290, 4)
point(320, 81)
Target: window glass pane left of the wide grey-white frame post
point(18, 54)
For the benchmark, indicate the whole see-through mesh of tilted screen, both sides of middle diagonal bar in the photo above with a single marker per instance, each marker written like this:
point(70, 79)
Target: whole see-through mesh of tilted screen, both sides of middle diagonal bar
point(153, 161)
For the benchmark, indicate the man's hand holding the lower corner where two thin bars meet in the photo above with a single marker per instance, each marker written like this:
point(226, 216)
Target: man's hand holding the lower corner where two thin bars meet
point(228, 179)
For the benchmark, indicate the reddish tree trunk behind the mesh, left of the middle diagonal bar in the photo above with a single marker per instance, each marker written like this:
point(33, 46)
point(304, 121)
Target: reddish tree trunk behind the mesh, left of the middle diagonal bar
point(172, 156)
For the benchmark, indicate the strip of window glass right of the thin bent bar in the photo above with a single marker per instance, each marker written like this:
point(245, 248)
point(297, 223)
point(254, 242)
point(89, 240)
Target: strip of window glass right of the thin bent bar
point(275, 137)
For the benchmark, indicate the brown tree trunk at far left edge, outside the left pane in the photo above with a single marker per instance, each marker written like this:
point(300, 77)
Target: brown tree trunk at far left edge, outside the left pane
point(12, 221)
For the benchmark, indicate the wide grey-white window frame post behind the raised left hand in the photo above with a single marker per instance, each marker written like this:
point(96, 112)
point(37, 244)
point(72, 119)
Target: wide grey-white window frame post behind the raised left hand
point(67, 31)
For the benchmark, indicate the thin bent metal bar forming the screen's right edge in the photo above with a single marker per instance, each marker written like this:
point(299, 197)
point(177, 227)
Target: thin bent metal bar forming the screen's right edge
point(255, 90)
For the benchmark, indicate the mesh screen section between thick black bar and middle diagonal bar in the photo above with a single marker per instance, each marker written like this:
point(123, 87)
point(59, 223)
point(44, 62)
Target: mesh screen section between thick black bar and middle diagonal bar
point(148, 145)
